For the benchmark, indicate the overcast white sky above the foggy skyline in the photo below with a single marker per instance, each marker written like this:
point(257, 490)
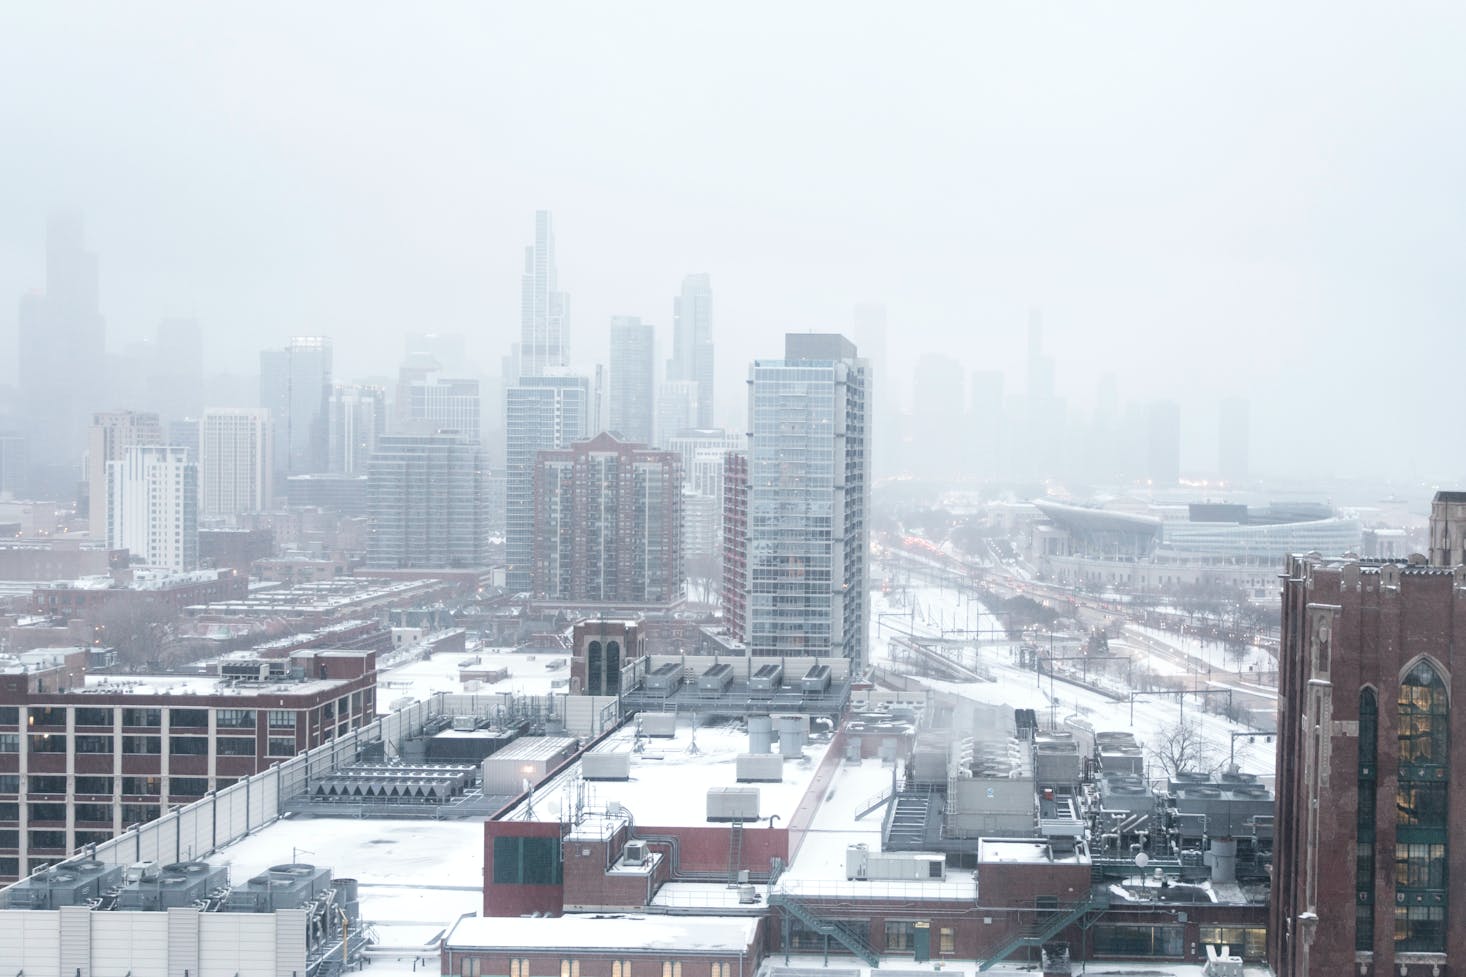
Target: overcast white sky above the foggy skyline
point(1204, 199)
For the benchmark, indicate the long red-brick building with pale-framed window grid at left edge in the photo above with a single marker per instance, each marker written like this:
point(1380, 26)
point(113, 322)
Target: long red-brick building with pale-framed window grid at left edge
point(83, 758)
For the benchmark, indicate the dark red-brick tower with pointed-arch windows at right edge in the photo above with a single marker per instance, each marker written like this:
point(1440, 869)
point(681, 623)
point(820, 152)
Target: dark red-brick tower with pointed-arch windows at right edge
point(1366, 764)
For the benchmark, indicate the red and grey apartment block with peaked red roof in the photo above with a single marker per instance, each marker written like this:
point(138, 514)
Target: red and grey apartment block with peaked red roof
point(609, 524)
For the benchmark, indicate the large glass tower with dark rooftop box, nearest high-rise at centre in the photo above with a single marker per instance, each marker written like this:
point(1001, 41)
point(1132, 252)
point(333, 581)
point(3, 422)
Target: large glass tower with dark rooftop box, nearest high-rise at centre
point(808, 495)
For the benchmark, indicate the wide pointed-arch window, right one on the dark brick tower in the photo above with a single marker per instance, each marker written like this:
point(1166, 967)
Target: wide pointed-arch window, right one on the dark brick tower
point(1421, 805)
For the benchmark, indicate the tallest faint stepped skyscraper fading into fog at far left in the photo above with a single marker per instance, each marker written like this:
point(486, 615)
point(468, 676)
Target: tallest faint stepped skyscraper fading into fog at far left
point(62, 356)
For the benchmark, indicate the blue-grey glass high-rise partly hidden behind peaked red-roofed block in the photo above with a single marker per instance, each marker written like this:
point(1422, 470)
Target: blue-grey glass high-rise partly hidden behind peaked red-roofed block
point(542, 414)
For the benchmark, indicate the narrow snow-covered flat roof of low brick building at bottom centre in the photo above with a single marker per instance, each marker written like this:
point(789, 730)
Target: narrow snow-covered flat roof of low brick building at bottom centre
point(603, 932)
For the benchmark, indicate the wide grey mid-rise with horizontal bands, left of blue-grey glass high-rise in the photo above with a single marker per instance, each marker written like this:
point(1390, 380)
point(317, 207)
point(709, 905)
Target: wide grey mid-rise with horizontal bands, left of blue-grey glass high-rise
point(427, 502)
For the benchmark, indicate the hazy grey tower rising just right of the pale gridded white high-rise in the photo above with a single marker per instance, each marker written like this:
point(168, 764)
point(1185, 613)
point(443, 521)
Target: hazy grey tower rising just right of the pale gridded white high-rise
point(295, 387)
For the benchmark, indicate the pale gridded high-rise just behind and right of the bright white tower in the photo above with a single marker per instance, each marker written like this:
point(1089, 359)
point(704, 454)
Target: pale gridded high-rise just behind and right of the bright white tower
point(235, 461)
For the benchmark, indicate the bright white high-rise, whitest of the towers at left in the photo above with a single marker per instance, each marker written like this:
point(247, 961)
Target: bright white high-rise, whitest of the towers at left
point(153, 507)
